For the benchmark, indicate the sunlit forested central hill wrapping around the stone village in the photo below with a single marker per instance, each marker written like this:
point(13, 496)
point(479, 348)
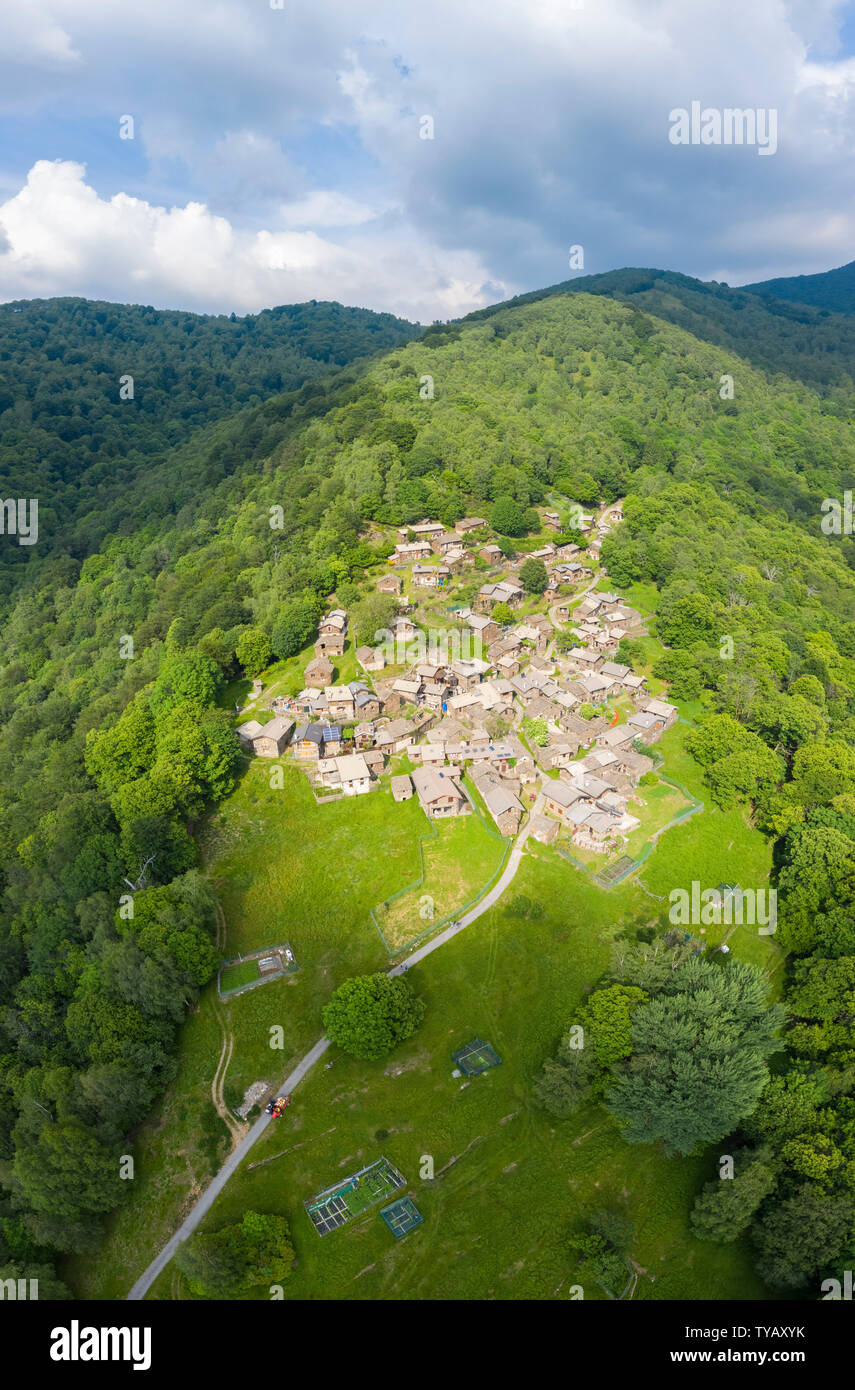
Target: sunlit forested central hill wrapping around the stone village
point(108, 761)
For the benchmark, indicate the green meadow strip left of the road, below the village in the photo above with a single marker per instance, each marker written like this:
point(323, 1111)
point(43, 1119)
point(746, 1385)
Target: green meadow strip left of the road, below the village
point(284, 869)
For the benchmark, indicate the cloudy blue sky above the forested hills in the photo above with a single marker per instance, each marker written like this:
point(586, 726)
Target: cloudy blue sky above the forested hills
point(422, 159)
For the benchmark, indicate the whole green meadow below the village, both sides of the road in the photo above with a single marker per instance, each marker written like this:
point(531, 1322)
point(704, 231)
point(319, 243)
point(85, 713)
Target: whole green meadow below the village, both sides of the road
point(510, 1182)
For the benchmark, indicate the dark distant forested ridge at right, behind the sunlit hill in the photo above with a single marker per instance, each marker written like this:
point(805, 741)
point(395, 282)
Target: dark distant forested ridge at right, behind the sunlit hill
point(789, 340)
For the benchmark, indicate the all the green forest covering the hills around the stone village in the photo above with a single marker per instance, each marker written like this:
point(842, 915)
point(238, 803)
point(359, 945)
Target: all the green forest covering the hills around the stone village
point(159, 528)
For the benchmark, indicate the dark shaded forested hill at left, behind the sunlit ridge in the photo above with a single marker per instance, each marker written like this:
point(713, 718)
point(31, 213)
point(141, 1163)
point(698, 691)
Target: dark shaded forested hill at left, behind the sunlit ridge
point(94, 395)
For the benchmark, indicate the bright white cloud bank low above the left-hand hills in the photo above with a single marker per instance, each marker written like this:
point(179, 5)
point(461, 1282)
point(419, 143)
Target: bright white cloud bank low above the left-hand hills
point(65, 240)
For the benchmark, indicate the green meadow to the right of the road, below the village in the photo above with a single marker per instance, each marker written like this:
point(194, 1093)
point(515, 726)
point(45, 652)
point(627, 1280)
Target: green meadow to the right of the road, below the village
point(510, 1182)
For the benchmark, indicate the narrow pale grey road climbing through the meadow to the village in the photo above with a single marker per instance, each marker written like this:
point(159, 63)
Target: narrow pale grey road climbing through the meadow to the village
point(305, 1065)
